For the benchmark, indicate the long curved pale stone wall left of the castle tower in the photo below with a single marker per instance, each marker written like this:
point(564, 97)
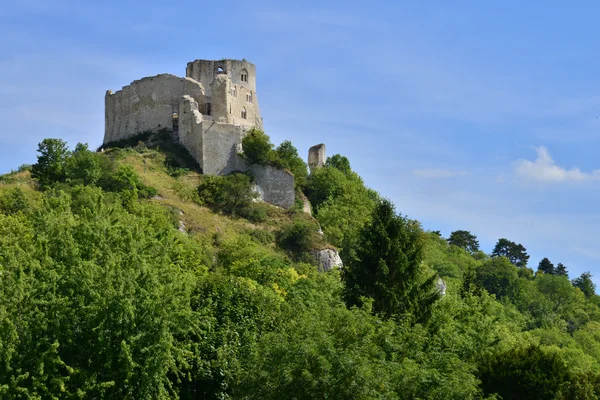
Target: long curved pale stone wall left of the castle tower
point(147, 105)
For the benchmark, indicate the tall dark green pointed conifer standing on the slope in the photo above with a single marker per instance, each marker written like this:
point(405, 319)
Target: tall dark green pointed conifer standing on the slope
point(387, 267)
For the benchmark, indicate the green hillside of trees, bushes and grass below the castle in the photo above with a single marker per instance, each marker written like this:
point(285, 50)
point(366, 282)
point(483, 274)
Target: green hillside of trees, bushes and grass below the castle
point(103, 297)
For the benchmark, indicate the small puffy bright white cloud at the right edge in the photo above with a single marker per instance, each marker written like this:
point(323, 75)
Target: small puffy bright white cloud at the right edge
point(544, 169)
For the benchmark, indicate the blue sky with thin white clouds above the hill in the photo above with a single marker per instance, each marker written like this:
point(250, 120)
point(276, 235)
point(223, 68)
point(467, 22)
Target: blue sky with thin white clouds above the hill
point(476, 115)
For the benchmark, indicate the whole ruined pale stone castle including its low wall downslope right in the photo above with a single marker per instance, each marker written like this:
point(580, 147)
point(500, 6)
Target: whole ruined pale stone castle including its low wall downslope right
point(208, 112)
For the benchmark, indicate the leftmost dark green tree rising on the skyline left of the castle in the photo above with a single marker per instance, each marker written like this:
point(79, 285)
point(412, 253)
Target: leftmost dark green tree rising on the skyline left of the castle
point(50, 166)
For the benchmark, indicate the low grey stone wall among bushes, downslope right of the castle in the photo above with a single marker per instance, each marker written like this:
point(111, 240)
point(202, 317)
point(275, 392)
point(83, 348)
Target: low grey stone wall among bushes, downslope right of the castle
point(275, 186)
